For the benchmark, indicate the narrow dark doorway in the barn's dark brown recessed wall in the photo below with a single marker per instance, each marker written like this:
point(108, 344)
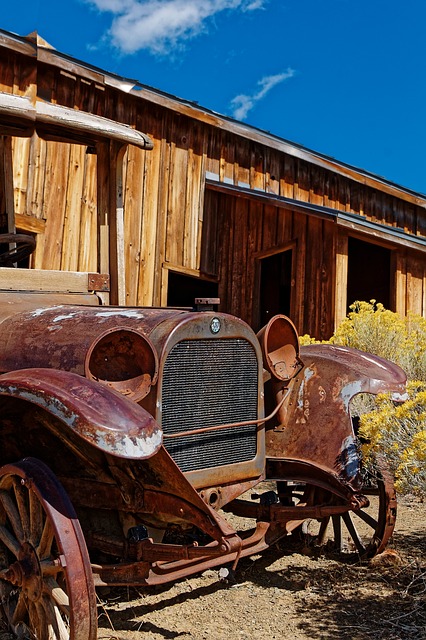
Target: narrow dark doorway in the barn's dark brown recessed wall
point(275, 285)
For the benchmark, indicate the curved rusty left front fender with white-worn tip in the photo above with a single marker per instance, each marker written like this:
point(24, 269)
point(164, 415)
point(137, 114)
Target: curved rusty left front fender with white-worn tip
point(102, 417)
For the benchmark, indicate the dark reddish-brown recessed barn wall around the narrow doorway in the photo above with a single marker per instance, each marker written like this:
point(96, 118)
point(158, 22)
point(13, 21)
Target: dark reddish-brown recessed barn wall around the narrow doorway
point(243, 231)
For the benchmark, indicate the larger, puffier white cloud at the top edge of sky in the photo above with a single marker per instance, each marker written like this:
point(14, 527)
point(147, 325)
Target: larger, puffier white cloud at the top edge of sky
point(162, 25)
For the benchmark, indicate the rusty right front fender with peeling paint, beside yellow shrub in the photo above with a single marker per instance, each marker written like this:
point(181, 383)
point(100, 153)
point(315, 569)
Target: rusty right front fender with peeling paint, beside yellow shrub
point(315, 424)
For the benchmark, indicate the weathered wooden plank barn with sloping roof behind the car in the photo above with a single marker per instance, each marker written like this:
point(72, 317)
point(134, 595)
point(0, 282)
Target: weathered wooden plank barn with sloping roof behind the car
point(216, 208)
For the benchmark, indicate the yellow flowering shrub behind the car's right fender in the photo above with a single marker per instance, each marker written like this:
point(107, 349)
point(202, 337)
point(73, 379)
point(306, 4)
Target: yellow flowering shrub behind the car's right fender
point(396, 431)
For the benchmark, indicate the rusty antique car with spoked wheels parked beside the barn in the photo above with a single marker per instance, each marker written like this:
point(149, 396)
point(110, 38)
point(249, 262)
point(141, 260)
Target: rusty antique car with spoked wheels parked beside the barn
point(129, 434)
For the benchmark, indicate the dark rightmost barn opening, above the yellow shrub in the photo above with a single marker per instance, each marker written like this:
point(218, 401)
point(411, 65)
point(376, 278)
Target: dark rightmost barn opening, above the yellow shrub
point(369, 272)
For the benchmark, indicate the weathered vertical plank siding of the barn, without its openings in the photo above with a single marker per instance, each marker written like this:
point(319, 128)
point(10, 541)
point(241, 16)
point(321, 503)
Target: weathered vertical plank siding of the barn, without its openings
point(172, 220)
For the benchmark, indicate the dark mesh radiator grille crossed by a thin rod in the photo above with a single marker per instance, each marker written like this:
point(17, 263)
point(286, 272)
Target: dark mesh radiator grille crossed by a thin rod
point(208, 383)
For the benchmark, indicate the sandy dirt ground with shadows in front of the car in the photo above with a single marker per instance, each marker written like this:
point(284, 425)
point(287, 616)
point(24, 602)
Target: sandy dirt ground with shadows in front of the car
point(290, 591)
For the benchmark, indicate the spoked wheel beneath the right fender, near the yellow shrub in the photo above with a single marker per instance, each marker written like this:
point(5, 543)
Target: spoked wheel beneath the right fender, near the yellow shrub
point(369, 529)
